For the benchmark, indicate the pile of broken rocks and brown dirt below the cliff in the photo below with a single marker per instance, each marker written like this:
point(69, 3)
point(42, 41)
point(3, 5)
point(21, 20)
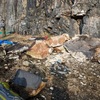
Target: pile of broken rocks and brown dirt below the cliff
point(69, 66)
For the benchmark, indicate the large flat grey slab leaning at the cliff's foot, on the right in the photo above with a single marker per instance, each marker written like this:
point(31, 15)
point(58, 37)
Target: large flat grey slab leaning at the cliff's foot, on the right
point(82, 44)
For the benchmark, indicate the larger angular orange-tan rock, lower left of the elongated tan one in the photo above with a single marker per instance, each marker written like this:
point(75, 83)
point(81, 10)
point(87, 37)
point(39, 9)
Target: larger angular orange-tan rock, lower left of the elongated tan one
point(39, 50)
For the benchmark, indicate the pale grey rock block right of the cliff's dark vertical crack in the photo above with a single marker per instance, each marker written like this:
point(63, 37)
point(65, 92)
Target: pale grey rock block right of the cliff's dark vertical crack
point(91, 23)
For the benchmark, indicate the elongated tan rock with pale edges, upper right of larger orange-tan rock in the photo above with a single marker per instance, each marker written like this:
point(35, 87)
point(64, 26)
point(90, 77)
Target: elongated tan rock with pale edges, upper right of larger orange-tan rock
point(57, 40)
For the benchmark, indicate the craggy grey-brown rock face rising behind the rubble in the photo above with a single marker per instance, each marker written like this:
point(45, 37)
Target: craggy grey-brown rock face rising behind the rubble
point(52, 16)
